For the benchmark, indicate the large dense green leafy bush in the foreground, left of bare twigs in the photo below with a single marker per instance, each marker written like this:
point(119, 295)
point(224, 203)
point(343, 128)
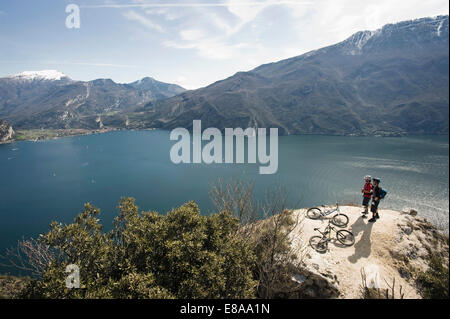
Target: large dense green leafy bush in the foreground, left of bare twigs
point(147, 255)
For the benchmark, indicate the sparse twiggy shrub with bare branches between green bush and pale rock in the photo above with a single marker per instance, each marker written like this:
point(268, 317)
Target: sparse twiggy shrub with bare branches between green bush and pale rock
point(278, 258)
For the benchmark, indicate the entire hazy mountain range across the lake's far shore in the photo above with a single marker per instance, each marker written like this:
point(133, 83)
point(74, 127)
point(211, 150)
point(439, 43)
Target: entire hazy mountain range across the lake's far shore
point(384, 82)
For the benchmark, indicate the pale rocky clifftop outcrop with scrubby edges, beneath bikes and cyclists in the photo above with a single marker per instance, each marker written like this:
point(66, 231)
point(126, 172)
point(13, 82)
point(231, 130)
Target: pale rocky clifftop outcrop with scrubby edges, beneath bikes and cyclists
point(395, 248)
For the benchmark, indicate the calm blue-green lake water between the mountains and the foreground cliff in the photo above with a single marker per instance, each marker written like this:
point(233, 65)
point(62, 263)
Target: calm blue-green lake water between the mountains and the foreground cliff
point(50, 180)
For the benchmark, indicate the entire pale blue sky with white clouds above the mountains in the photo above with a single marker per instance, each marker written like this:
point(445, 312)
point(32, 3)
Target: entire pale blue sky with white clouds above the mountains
point(192, 43)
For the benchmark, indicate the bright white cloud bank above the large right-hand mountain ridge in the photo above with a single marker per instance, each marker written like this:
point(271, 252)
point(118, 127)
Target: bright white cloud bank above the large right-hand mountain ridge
point(243, 34)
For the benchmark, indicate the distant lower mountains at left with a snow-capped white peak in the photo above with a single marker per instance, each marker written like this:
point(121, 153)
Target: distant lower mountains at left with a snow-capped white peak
point(49, 99)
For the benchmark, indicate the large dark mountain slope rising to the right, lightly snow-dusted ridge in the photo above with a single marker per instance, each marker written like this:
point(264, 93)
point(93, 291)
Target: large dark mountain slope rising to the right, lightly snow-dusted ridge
point(390, 81)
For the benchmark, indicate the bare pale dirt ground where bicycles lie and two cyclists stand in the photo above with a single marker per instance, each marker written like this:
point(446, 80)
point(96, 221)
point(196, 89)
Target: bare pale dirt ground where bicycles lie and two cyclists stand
point(371, 251)
